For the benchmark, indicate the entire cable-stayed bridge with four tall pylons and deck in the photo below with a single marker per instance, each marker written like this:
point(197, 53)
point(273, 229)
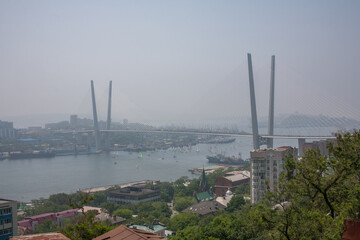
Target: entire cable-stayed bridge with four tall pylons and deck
point(258, 139)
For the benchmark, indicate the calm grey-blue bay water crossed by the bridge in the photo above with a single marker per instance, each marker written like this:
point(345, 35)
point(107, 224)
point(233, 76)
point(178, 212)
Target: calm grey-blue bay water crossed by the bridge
point(27, 179)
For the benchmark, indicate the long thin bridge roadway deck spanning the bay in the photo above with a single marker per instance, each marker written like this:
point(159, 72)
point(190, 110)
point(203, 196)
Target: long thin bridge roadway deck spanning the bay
point(212, 133)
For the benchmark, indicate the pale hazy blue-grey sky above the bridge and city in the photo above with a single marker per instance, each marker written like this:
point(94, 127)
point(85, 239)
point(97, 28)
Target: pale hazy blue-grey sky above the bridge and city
point(178, 61)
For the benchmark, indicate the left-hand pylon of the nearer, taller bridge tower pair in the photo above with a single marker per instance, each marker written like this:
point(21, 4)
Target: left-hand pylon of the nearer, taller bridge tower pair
point(254, 121)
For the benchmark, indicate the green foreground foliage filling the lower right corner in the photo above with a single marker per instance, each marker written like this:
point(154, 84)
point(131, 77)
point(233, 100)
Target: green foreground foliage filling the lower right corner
point(314, 197)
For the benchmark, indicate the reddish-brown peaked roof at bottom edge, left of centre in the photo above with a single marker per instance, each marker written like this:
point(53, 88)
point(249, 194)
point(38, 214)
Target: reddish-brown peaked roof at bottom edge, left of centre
point(122, 233)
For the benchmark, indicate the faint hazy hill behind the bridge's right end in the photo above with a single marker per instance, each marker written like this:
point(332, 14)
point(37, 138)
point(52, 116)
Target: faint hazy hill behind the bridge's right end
point(299, 120)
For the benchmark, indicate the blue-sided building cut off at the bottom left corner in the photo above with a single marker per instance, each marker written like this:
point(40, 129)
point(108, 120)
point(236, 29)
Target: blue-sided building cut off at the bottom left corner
point(8, 219)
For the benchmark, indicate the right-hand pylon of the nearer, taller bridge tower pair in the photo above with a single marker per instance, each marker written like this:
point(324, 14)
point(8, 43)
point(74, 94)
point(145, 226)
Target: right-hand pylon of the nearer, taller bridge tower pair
point(270, 141)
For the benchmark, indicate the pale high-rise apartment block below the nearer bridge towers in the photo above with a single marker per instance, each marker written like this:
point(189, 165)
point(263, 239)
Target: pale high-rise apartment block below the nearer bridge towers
point(266, 167)
